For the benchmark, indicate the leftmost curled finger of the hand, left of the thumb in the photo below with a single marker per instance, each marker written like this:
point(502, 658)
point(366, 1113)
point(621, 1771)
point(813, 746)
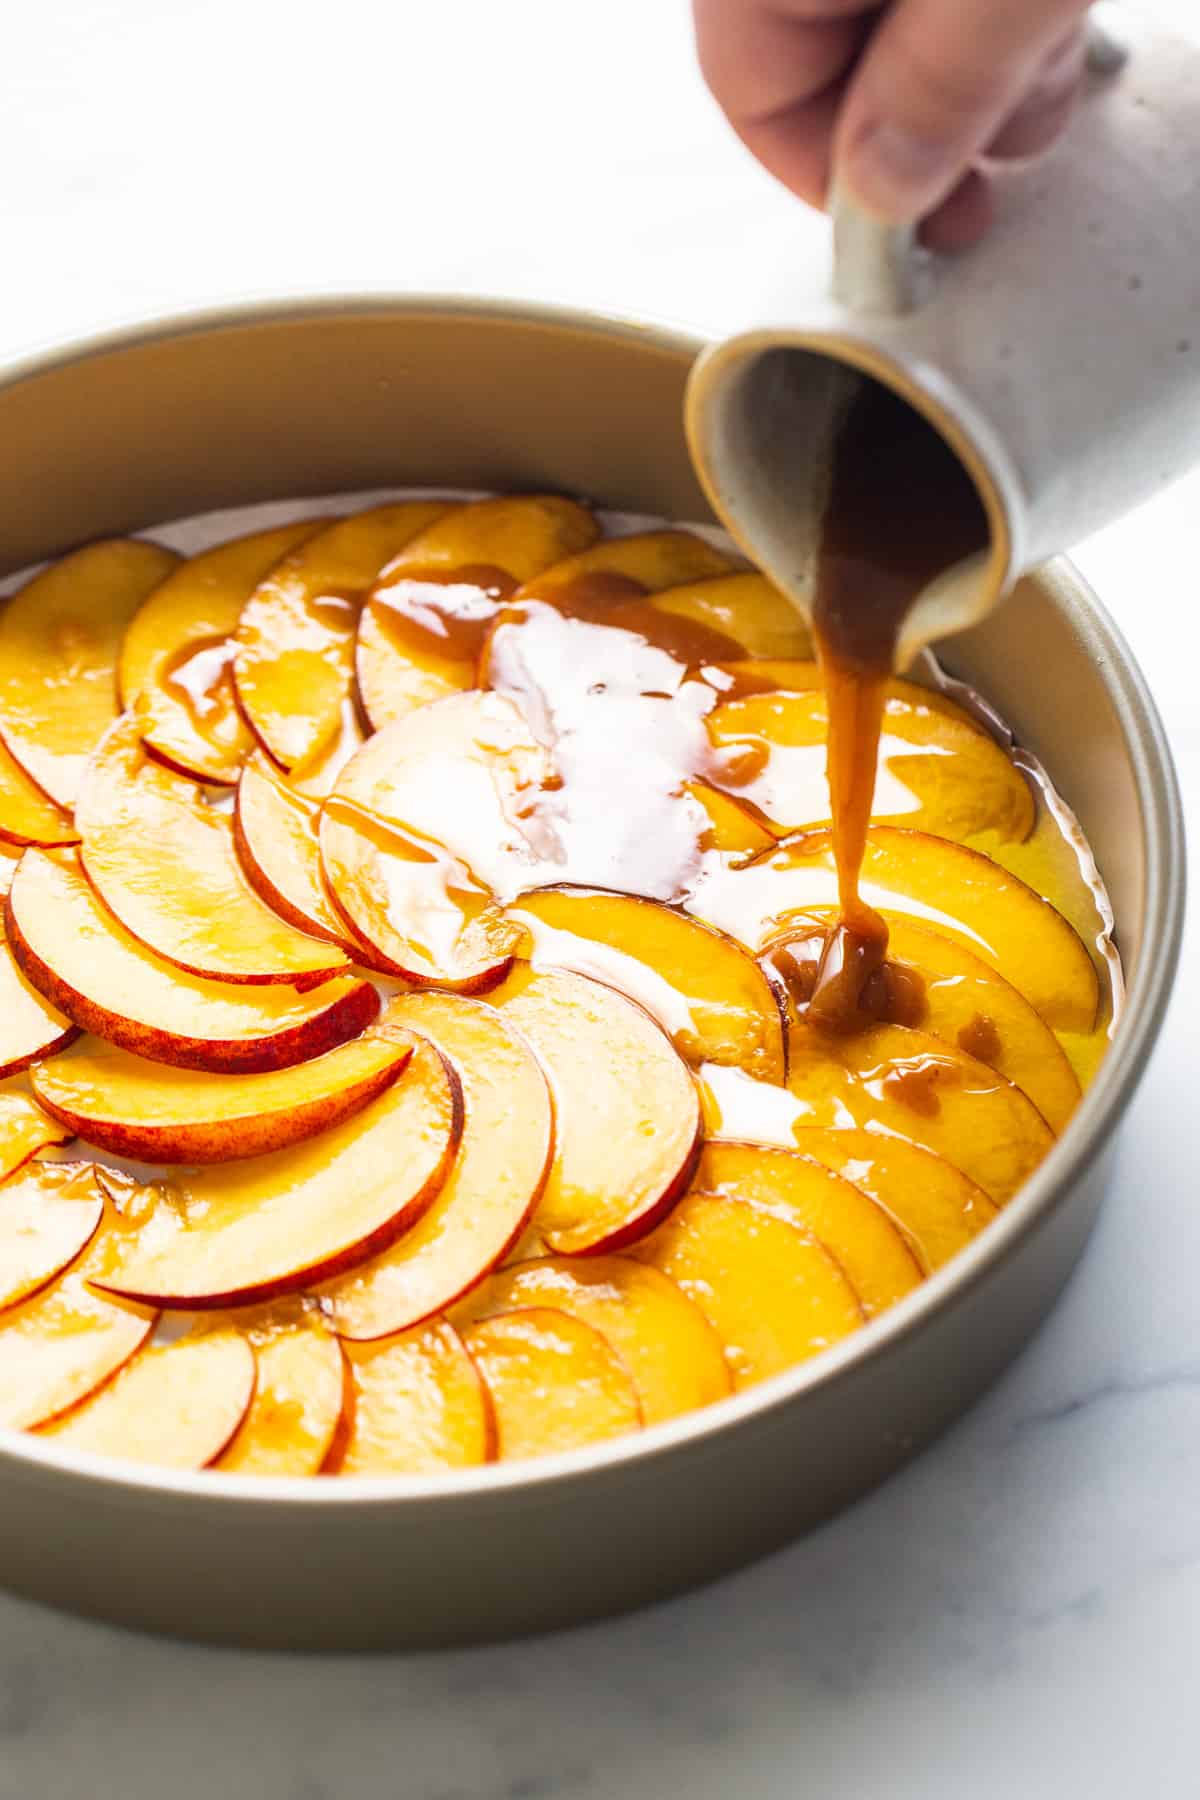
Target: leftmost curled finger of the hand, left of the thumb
point(778, 78)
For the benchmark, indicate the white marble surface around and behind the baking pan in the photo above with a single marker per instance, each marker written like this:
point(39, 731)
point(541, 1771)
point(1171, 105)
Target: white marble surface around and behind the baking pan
point(1017, 1614)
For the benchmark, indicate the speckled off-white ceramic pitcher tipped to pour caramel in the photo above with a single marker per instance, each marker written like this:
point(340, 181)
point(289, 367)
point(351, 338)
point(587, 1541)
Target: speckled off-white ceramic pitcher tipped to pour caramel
point(1061, 359)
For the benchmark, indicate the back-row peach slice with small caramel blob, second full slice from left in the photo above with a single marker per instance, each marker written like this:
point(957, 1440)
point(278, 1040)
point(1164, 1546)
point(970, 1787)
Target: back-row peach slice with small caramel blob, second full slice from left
point(177, 652)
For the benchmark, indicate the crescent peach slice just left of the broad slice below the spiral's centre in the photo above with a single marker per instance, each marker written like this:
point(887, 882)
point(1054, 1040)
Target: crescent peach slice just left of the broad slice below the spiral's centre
point(492, 1191)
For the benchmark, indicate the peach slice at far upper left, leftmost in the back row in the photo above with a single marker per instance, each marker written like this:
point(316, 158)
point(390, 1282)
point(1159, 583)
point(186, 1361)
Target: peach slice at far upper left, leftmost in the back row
point(60, 640)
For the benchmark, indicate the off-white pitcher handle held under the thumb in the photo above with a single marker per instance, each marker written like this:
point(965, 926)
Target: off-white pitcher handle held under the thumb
point(882, 269)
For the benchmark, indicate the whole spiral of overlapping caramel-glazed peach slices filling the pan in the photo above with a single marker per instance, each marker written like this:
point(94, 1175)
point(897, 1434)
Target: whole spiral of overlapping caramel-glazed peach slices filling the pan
point(604, 1167)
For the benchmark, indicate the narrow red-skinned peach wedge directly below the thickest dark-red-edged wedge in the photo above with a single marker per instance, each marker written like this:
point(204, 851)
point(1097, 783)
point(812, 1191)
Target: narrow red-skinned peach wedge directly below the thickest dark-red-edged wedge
point(159, 1115)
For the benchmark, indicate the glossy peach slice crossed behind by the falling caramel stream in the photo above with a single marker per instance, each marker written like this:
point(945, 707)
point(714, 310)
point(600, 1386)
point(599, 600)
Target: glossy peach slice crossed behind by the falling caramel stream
point(931, 881)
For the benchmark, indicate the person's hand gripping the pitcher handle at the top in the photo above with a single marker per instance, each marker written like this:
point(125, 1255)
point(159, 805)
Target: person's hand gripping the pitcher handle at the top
point(902, 100)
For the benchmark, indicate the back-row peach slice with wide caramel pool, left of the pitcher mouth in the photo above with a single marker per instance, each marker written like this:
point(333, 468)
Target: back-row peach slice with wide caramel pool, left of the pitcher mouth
point(424, 625)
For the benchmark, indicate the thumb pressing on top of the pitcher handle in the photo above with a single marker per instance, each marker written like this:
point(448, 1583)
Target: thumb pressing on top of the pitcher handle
point(933, 89)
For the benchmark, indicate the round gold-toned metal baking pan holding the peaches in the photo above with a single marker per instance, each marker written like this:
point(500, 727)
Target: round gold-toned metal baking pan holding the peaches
point(312, 399)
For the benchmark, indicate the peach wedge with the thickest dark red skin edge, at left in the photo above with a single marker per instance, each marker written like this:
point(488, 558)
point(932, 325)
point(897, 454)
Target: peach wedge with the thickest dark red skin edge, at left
point(94, 971)
